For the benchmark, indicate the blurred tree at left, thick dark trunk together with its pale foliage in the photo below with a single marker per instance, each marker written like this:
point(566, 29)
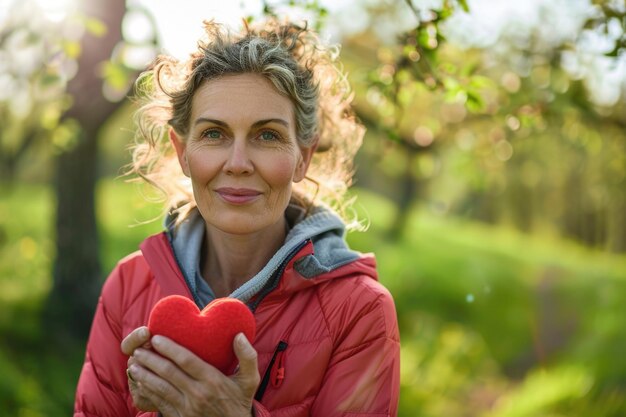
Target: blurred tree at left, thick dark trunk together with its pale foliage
point(62, 81)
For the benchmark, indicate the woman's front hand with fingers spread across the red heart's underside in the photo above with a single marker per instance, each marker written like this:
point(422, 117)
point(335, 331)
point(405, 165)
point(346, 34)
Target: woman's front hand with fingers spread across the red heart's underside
point(181, 384)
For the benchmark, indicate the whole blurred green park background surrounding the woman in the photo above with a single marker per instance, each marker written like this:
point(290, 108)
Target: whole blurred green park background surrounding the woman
point(492, 178)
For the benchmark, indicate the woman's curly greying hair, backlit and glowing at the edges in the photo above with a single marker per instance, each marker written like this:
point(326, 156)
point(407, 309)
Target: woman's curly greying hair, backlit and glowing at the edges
point(294, 60)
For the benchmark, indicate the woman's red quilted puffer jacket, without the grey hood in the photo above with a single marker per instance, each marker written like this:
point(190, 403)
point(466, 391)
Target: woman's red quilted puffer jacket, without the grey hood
point(339, 354)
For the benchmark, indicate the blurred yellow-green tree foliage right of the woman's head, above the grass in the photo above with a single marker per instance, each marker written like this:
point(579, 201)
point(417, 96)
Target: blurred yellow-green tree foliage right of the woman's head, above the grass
point(517, 132)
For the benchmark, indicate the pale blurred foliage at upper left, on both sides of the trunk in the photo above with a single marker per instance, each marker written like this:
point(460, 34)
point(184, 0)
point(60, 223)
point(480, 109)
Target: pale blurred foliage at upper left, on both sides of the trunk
point(38, 57)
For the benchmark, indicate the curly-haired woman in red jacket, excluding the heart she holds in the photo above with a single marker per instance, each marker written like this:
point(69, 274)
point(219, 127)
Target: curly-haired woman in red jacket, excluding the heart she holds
point(259, 124)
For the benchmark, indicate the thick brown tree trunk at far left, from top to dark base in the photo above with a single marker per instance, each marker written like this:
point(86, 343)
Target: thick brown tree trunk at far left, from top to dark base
point(77, 271)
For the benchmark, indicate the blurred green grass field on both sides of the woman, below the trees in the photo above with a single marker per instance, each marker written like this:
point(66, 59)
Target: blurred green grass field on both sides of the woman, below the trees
point(494, 323)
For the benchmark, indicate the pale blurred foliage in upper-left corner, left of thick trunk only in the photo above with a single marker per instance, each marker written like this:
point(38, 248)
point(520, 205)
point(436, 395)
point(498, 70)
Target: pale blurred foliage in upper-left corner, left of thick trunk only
point(33, 74)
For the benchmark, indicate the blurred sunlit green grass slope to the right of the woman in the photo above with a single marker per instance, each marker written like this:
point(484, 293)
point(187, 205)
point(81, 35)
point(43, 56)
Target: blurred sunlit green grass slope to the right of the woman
point(499, 323)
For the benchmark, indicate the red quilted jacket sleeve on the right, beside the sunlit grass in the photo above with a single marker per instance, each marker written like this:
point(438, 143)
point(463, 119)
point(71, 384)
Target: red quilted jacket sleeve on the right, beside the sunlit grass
point(363, 376)
